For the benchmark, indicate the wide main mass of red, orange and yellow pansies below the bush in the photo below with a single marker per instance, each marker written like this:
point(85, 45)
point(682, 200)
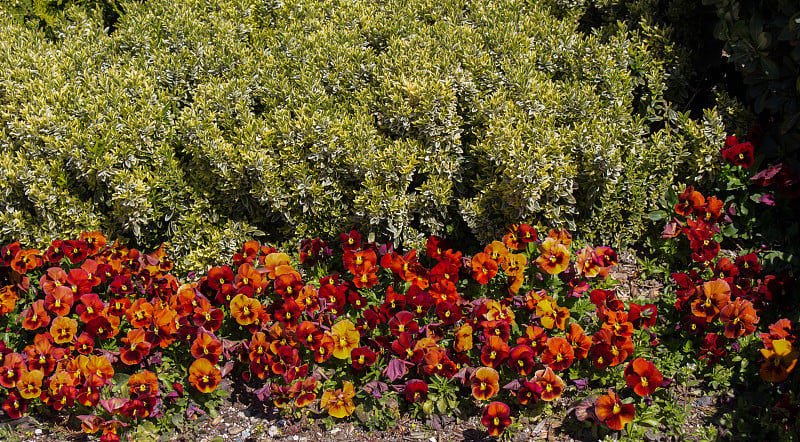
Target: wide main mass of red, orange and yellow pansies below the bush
point(403, 320)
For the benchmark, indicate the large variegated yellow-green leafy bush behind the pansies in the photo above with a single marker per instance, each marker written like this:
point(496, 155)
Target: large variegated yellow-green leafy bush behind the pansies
point(202, 123)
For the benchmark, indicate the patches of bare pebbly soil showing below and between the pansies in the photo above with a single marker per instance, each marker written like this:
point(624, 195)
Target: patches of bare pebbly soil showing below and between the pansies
point(243, 418)
